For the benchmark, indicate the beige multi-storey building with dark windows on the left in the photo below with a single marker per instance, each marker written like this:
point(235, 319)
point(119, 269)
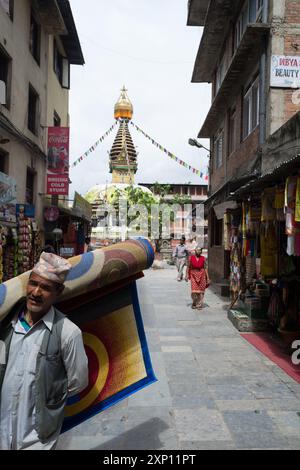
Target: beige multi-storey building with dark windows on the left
point(38, 43)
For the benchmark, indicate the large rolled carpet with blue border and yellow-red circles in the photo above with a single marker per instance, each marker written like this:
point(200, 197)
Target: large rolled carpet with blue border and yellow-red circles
point(101, 298)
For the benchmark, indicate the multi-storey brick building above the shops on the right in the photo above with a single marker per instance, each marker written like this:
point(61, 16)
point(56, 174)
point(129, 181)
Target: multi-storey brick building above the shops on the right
point(244, 53)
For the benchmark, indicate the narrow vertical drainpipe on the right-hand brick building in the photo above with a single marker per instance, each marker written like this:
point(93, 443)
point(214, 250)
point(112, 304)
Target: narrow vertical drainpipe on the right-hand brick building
point(263, 79)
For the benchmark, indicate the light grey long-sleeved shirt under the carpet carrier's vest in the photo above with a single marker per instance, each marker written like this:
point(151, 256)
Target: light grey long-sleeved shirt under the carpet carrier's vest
point(17, 412)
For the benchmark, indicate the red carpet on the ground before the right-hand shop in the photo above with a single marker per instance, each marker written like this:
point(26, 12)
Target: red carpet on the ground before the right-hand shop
point(271, 346)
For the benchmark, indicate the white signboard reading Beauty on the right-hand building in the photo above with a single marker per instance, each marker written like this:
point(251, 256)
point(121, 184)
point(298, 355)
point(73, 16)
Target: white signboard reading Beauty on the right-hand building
point(285, 71)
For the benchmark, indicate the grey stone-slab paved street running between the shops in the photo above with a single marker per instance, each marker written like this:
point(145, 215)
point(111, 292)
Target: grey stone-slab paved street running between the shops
point(214, 390)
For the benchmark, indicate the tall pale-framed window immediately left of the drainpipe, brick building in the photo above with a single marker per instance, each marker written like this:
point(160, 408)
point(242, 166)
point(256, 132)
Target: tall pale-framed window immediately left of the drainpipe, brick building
point(251, 109)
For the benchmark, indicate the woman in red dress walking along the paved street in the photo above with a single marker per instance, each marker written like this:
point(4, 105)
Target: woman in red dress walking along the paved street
point(198, 275)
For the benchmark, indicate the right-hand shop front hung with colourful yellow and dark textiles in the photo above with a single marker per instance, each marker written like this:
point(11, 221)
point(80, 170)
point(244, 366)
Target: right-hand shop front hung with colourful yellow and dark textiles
point(263, 237)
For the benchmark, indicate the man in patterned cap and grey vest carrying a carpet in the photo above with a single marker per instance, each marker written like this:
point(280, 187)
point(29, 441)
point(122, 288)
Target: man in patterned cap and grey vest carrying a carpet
point(44, 362)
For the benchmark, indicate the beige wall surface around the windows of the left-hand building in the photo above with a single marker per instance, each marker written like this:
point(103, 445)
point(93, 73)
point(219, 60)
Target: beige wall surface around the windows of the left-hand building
point(14, 38)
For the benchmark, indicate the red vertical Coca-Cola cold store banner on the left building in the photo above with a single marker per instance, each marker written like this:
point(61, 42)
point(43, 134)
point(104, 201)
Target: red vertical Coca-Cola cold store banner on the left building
point(58, 161)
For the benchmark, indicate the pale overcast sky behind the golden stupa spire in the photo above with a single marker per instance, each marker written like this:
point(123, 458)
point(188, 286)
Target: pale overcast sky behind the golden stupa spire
point(146, 46)
